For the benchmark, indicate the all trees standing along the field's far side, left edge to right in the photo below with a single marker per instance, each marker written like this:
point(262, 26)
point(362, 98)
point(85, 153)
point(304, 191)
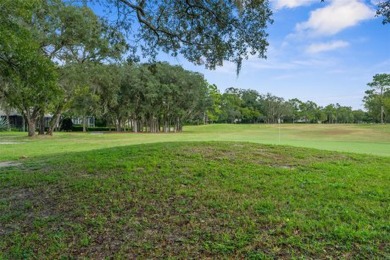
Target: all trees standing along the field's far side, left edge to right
point(63, 60)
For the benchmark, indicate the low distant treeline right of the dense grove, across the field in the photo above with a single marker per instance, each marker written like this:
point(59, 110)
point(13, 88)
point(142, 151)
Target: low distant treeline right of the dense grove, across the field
point(249, 106)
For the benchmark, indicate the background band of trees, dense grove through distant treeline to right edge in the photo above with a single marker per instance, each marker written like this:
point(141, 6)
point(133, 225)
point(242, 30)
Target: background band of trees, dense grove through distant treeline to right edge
point(159, 97)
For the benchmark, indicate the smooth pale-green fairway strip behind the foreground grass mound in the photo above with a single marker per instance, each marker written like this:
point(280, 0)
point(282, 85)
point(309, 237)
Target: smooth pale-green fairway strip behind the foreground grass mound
point(368, 139)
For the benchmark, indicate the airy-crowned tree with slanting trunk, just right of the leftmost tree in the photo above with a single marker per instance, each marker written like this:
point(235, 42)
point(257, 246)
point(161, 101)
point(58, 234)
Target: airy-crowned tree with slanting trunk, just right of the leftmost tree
point(75, 35)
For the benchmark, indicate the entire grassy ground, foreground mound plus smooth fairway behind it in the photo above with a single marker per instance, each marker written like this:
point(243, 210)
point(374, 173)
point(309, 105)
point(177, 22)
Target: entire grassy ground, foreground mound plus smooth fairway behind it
point(198, 194)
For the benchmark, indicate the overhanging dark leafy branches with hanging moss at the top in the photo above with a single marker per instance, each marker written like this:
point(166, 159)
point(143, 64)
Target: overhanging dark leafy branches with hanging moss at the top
point(204, 32)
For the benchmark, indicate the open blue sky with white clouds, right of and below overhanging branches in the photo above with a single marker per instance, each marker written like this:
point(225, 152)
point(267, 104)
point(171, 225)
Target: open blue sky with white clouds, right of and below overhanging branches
point(324, 52)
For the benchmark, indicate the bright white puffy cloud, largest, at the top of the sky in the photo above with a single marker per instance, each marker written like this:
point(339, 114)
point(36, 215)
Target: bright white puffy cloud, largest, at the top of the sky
point(337, 16)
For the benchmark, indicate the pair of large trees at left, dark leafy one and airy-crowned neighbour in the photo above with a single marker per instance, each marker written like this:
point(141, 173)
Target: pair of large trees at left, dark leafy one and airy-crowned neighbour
point(34, 34)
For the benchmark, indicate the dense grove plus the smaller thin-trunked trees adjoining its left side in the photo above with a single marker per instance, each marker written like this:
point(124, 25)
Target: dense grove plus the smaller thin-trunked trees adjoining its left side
point(138, 97)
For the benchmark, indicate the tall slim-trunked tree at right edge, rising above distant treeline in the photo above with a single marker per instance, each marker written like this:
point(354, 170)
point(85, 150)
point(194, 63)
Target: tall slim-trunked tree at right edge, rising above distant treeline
point(380, 84)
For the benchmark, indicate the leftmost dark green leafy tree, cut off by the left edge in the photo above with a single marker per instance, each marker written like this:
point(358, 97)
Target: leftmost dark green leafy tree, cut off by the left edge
point(29, 77)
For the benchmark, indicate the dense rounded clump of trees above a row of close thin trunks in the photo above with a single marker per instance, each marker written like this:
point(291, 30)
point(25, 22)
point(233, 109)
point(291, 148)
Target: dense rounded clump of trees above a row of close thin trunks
point(154, 97)
